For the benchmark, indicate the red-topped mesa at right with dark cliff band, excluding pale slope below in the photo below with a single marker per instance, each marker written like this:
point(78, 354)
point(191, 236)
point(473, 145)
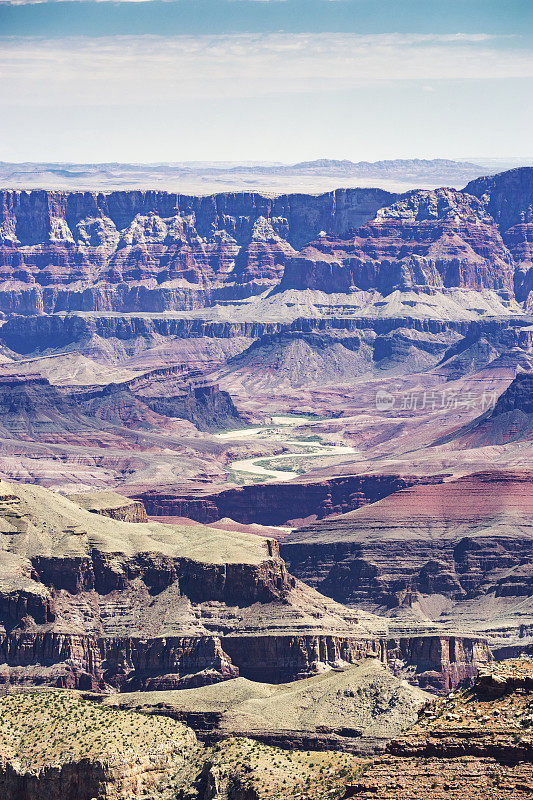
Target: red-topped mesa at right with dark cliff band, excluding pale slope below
point(386, 550)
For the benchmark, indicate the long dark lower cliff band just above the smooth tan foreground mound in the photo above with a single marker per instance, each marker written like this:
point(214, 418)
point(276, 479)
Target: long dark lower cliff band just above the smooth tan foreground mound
point(128, 664)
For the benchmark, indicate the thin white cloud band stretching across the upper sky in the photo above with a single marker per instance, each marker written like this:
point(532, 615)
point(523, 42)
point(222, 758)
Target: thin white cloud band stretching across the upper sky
point(150, 69)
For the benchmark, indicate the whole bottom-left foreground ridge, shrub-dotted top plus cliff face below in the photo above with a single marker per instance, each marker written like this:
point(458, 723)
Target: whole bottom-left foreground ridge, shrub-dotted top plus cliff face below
point(60, 744)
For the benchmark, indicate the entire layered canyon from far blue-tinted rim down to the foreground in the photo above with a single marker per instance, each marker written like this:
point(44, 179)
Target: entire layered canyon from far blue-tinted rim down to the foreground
point(260, 454)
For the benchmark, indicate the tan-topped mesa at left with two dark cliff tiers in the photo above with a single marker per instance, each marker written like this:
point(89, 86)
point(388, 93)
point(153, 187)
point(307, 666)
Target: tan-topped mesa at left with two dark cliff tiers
point(90, 601)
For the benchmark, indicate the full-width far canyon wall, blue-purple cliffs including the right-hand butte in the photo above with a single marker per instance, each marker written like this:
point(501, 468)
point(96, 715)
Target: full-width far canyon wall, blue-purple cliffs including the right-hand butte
point(156, 251)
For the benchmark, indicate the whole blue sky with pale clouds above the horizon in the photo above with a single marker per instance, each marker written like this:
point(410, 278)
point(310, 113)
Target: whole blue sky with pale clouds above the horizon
point(265, 80)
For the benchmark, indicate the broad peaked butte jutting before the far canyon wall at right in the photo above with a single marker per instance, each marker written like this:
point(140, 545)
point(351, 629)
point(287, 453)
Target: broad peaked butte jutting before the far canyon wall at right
point(436, 239)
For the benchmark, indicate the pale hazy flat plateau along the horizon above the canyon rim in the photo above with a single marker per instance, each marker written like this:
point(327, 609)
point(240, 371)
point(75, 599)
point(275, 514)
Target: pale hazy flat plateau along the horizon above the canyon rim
point(211, 177)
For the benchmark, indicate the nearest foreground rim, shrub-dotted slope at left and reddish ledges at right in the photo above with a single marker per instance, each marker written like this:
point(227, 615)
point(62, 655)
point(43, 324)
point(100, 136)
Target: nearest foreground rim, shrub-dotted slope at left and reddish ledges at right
point(475, 744)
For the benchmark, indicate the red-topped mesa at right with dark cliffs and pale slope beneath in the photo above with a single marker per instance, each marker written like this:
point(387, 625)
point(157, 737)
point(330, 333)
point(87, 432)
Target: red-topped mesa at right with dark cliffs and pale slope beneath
point(446, 554)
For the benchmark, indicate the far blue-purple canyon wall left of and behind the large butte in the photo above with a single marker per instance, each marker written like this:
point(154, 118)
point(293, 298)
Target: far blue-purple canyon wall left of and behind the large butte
point(151, 251)
